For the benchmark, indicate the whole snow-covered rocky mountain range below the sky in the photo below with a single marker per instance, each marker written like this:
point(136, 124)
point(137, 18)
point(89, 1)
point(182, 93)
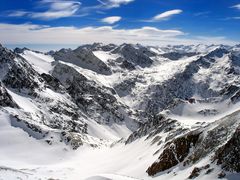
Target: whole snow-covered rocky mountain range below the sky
point(120, 112)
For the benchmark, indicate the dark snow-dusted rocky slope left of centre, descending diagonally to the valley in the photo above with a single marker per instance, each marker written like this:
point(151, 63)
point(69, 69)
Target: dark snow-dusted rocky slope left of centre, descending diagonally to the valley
point(96, 101)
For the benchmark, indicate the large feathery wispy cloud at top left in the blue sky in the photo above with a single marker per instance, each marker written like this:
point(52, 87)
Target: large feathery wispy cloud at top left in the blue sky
point(55, 9)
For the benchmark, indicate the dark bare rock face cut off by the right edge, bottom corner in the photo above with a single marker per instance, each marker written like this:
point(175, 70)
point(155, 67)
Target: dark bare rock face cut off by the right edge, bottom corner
point(228, 156)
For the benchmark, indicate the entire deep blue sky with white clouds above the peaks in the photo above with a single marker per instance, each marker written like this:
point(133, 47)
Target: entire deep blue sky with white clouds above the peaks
point(153, 22)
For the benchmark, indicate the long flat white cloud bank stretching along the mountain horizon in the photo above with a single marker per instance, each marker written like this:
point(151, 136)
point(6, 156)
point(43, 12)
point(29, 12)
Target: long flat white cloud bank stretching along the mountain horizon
point(35, 34)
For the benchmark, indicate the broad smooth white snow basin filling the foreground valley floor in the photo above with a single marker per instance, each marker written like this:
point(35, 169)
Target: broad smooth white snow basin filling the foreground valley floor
point(42, 160)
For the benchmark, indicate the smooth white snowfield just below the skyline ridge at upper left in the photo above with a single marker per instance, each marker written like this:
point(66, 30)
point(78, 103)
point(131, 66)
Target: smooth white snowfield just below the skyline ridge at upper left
point(41, 63)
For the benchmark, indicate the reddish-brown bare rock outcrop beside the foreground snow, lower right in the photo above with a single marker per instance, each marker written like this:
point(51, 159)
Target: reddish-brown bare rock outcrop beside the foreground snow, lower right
point(175, 152)
